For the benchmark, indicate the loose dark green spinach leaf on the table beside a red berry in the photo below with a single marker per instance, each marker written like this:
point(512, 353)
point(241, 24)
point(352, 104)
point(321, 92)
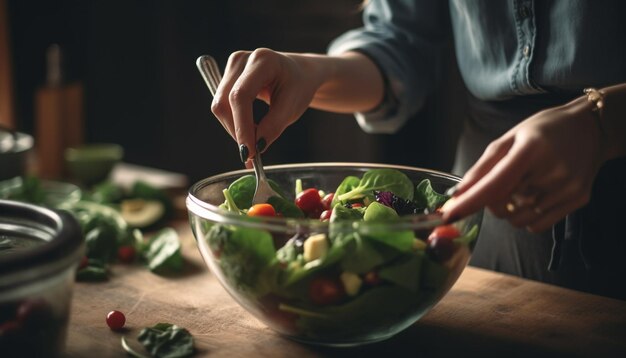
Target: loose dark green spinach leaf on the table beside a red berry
point(165, 340)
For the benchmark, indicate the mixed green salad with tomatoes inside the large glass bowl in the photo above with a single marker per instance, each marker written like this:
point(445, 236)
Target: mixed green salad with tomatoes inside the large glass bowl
point(361, 274)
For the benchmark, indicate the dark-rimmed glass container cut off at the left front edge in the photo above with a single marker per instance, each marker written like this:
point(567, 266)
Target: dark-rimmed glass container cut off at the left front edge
point(39, 252)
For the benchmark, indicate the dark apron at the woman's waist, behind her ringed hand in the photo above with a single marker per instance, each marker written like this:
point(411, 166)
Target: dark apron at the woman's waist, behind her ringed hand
point(585, 251)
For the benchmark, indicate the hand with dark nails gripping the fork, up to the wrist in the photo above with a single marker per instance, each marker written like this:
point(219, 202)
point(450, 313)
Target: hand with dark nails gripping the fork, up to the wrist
point(286, 82)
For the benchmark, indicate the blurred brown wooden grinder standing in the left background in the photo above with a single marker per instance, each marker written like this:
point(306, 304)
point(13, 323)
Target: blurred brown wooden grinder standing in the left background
point(58, 117)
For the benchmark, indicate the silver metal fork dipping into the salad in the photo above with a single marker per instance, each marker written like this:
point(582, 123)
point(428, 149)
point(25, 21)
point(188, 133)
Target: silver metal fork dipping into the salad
point(212, 76)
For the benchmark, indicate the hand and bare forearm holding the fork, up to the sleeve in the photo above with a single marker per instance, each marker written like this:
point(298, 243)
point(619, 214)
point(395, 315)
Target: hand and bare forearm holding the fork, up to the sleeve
point(290, 83)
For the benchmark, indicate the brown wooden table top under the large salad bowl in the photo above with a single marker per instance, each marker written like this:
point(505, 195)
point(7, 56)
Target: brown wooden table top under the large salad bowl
point(485, 313)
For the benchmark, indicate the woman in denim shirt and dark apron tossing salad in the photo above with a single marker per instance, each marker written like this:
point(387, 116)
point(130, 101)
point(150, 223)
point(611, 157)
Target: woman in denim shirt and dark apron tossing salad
point(551, 171)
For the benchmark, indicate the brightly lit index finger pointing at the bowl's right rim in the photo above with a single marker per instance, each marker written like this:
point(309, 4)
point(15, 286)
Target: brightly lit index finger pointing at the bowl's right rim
point(496, 185)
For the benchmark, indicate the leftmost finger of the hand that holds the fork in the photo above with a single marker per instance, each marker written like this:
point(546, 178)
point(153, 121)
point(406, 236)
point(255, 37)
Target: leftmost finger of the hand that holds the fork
point(221, 104)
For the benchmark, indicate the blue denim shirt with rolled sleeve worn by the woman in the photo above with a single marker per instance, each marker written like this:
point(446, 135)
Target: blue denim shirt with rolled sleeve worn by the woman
point(504, 48)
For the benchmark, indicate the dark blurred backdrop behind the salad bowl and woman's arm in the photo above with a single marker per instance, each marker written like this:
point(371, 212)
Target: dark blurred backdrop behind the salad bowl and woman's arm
point(136, 60)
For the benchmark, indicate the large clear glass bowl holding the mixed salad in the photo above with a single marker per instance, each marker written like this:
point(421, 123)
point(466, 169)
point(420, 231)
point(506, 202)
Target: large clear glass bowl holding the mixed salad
point(359, 282)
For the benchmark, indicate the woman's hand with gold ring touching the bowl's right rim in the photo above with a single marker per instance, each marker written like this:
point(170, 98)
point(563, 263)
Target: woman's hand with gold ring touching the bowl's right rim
point(539, 171)
